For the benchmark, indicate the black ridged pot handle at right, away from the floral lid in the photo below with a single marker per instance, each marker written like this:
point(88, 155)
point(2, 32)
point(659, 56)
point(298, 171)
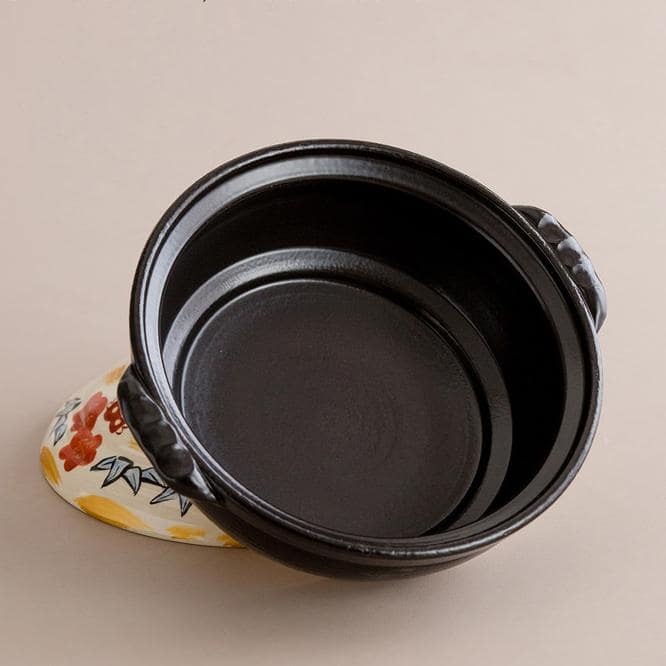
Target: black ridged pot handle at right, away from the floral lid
point(571, 254)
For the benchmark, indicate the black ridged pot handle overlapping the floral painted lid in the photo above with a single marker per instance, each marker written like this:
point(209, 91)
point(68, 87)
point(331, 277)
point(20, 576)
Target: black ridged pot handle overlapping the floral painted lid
point(171, 459)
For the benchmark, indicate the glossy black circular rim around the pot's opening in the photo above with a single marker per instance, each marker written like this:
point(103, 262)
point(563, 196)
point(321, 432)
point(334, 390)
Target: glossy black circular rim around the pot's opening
point(457, 542)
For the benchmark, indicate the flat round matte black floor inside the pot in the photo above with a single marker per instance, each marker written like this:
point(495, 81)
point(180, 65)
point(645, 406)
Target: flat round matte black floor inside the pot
point(336, 405)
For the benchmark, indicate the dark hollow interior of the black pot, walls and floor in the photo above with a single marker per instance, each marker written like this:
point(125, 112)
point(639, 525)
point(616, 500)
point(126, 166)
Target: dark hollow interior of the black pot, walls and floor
point(326, 386)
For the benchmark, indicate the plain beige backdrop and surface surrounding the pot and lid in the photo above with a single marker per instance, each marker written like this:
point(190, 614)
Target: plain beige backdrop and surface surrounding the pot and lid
point(112, 108)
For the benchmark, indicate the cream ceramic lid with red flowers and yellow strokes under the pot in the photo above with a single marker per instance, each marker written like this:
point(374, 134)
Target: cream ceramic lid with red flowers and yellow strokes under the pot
point(90, 459)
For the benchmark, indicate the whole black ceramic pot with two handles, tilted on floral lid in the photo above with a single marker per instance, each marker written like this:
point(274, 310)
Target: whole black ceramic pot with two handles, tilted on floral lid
point(361, 362)
